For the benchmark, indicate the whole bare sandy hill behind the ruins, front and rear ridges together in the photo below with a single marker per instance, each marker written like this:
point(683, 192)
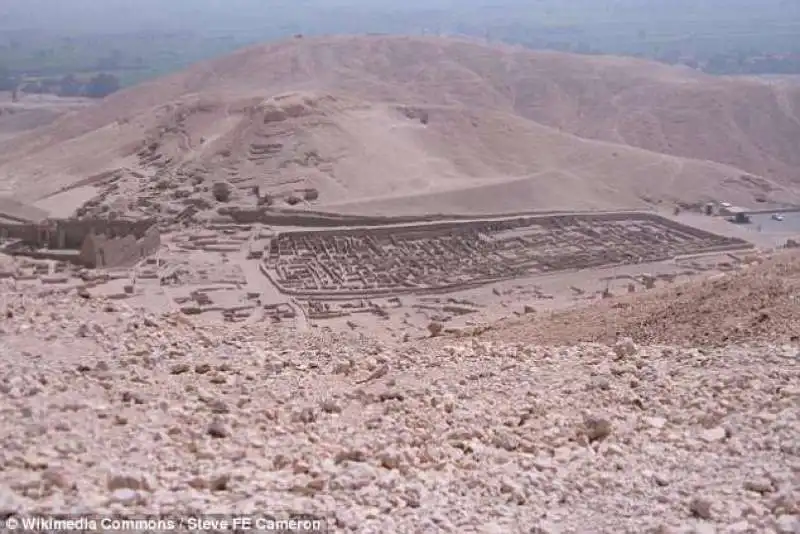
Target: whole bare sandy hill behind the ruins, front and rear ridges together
point(426, 124)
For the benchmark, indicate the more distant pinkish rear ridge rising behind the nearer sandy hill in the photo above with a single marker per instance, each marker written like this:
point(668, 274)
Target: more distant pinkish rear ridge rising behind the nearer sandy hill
point(743, 122)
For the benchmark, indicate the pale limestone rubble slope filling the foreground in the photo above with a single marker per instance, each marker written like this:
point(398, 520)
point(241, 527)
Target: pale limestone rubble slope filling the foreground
point(105, 409)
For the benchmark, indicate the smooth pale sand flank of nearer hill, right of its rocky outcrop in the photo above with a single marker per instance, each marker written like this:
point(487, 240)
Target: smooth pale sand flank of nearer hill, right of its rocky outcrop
point(506, 163)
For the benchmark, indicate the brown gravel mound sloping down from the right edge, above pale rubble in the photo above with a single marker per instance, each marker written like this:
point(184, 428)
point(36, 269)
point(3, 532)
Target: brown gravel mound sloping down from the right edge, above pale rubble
point(758, 303)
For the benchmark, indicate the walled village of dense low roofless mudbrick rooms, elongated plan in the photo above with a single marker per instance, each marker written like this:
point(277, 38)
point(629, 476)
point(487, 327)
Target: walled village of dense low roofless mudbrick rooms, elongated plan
point(458, 255)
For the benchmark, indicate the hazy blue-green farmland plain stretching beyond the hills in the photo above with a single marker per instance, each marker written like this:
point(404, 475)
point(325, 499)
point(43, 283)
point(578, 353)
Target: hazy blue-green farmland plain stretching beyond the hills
point(90, 49)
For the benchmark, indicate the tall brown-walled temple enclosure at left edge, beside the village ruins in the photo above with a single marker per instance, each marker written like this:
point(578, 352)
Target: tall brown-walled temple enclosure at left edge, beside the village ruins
point(94, 243)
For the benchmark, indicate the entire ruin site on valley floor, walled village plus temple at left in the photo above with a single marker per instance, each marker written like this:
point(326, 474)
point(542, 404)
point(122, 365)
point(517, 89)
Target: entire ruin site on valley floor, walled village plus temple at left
point(299, 268)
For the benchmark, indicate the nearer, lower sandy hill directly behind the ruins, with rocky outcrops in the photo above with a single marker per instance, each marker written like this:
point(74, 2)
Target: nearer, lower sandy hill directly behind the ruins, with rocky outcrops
point(363, 157)
